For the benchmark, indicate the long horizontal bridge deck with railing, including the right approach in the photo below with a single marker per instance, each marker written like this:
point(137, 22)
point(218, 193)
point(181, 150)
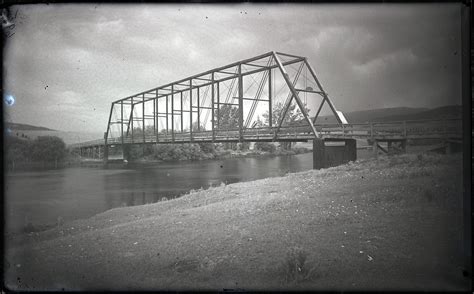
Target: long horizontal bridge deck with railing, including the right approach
point(451, 128)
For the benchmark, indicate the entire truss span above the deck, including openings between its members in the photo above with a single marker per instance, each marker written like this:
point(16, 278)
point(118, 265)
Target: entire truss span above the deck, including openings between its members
point(227, 104)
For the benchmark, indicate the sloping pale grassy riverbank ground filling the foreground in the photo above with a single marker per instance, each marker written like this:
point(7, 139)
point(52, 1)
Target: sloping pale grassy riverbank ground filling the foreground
point(391, 223)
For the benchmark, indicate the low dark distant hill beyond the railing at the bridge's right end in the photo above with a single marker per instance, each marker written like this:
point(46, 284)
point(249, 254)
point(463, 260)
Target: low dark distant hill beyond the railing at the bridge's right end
point(397, 114)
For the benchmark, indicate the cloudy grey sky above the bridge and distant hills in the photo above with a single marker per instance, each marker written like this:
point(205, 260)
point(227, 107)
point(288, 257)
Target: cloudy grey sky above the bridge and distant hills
point(65, 64)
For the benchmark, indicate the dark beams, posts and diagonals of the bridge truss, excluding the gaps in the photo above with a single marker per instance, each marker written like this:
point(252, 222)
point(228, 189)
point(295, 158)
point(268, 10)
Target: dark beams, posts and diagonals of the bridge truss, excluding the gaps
point(208, 78)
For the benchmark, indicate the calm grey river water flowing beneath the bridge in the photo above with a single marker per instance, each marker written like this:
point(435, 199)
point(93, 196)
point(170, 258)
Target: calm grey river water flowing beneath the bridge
point(41, 197)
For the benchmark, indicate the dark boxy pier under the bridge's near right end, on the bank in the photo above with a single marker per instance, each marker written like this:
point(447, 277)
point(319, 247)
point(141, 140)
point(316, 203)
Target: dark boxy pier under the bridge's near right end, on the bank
point(333, 152)
